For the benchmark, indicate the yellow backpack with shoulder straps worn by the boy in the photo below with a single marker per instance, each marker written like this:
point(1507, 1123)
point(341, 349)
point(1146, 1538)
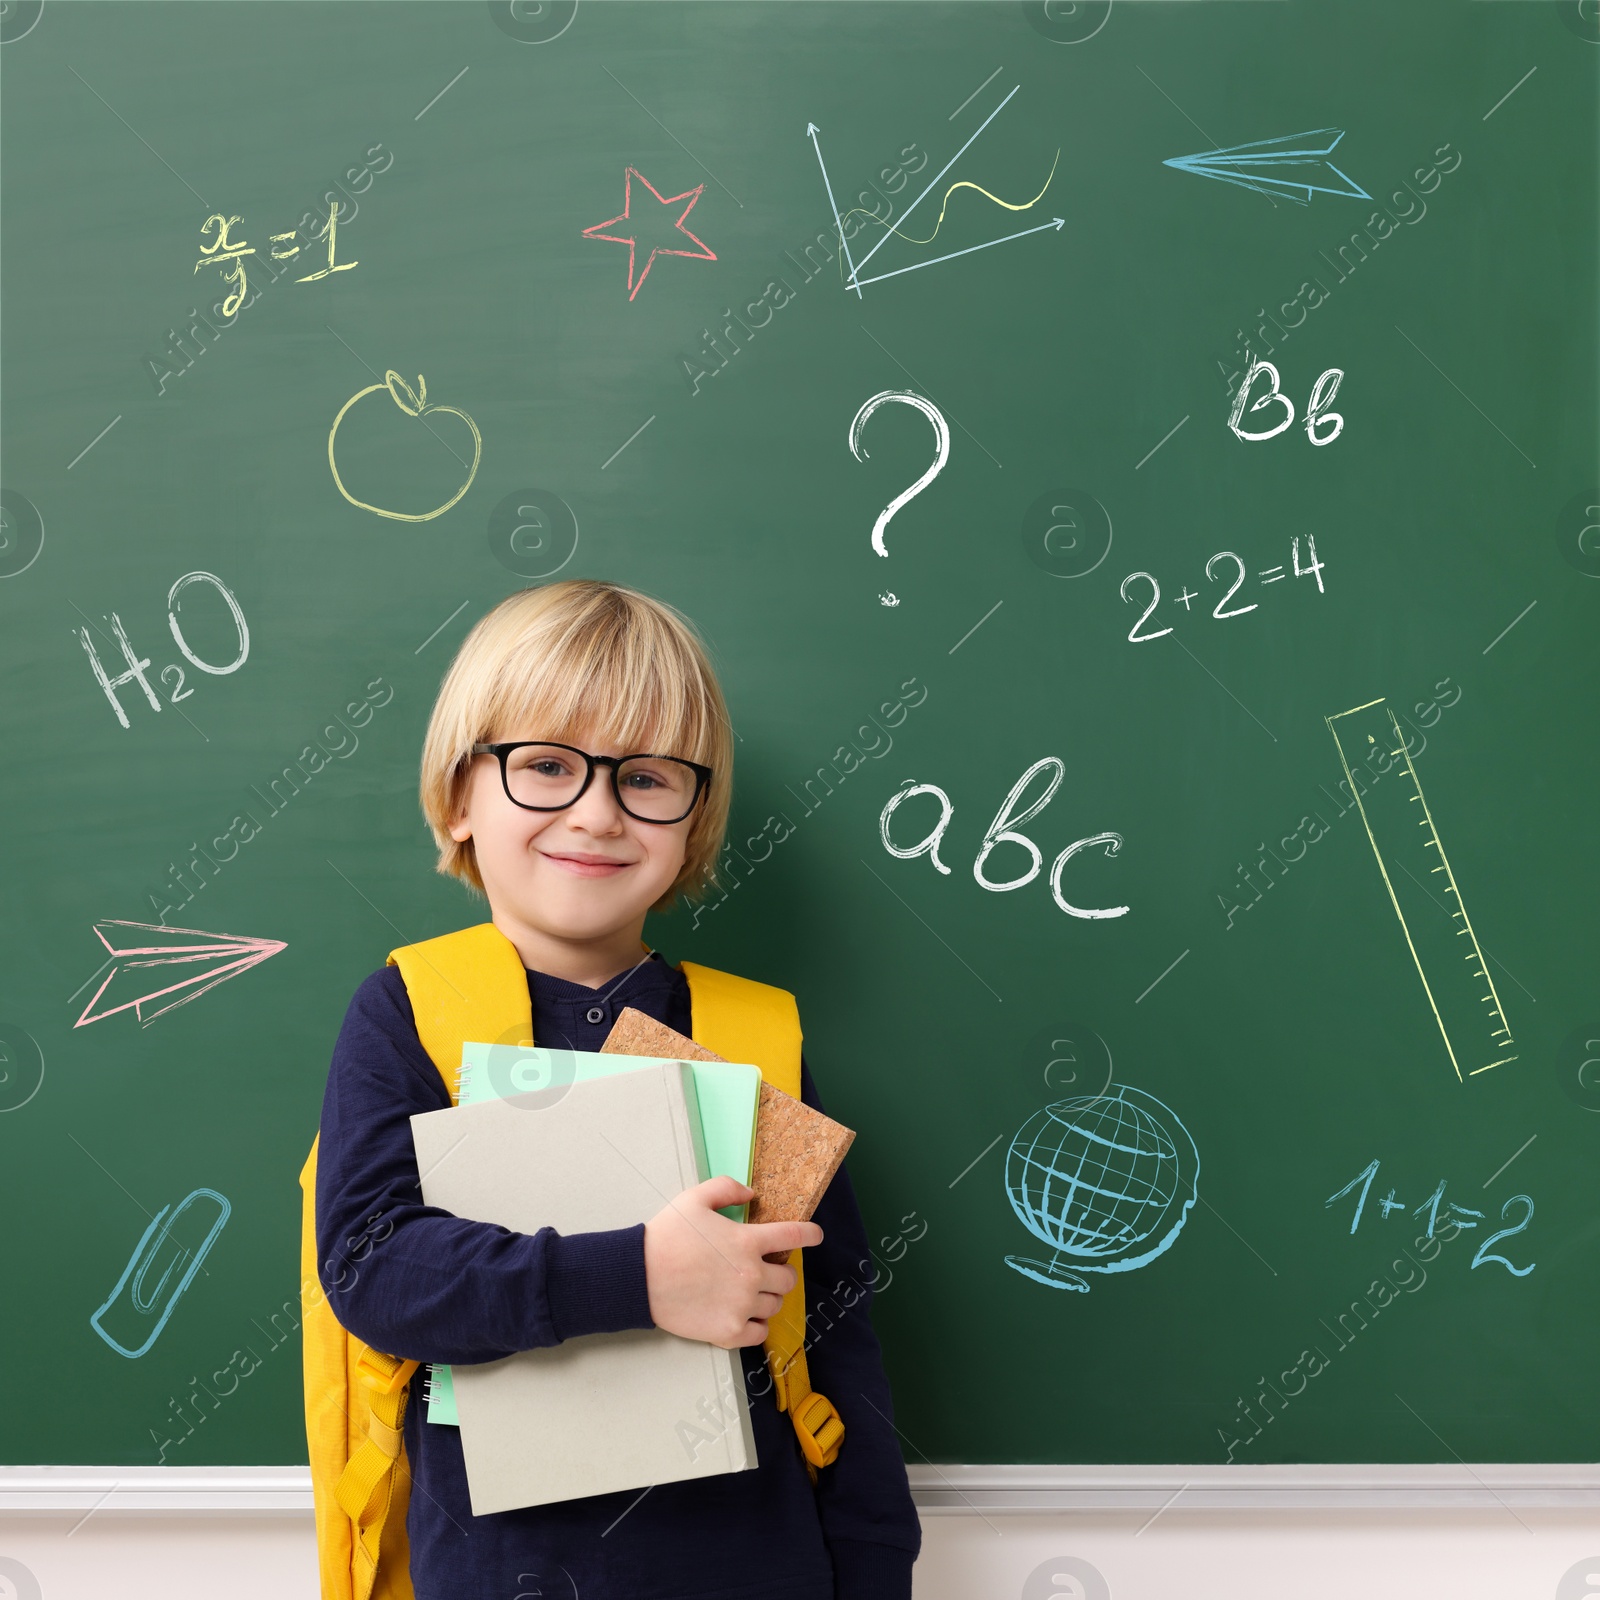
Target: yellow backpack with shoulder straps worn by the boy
point(473, 985)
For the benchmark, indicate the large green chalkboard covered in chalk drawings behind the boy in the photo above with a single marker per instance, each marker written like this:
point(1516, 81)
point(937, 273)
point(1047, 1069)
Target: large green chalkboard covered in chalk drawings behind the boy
point(1244, 993)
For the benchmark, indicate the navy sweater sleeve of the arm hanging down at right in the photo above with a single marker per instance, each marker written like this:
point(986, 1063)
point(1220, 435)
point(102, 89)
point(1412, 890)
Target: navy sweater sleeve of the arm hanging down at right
point(863, 1500)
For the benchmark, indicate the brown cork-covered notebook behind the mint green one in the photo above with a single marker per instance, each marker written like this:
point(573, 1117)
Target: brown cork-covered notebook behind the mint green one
point(798, 1150)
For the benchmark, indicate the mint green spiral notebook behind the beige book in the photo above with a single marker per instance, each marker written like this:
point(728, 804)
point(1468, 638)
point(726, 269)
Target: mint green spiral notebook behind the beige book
point(730, 1095)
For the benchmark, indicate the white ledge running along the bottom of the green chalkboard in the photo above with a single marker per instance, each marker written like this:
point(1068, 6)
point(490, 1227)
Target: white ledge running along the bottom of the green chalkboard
point(938, 1490)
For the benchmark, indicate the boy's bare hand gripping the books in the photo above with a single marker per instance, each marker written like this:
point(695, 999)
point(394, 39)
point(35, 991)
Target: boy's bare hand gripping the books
point(706, 1274)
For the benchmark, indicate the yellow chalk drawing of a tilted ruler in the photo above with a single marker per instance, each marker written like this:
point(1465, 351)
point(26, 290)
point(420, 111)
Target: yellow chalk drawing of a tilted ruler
point(1425, 894)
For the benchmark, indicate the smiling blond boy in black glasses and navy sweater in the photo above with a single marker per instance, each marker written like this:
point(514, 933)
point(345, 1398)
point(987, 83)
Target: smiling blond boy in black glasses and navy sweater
point(535, 802)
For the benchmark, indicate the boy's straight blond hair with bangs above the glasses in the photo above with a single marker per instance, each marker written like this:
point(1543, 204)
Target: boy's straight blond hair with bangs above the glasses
point(580, 657)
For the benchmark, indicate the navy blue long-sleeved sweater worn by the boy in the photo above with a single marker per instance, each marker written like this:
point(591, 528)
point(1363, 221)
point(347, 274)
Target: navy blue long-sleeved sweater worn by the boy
point(422, 1284)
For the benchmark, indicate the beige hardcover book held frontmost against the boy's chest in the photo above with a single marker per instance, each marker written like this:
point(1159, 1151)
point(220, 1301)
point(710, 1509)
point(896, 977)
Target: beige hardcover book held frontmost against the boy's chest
point(610, 1410)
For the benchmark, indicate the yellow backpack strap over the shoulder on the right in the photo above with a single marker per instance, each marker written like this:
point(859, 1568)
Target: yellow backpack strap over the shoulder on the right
point(748, 1022)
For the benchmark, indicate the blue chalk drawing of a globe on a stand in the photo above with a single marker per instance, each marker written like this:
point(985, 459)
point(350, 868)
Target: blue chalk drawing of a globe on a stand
point(1105, 1180)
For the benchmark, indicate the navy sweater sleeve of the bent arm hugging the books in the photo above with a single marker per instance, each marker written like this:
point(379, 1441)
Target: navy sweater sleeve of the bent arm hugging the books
point(415, 1281)
